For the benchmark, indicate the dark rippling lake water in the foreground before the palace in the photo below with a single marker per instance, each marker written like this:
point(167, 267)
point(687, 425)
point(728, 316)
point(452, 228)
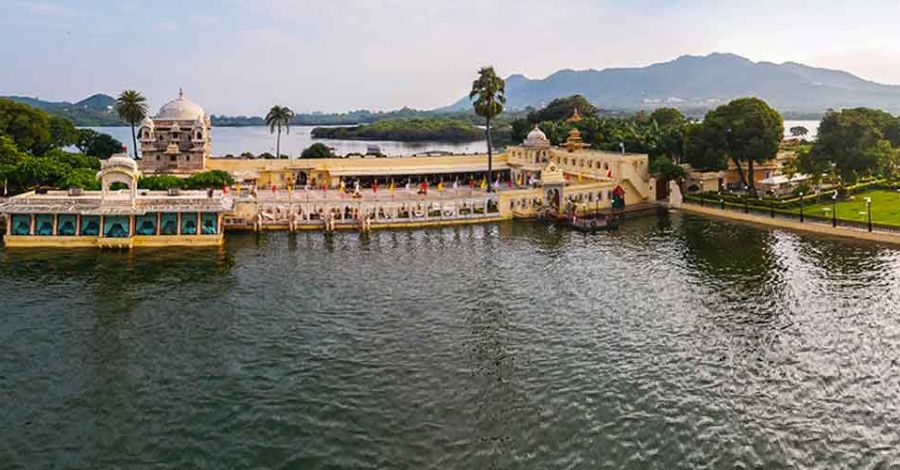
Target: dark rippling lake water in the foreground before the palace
point(676, 342)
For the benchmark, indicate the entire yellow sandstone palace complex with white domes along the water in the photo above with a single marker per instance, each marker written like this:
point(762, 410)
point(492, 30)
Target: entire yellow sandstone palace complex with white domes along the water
point(530, 180)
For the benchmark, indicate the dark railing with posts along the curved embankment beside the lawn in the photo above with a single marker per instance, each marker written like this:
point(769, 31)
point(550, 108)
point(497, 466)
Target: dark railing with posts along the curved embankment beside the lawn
point(774, 212)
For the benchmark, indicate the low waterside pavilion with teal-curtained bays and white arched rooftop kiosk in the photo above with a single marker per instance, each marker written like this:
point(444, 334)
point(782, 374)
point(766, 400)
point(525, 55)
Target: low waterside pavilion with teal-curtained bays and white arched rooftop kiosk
point(115, 218)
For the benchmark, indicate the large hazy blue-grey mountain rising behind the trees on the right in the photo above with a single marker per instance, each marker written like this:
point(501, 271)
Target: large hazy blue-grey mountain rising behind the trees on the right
point(703, 82)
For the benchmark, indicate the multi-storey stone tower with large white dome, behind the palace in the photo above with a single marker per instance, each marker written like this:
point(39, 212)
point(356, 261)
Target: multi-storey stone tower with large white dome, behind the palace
point(177, 140)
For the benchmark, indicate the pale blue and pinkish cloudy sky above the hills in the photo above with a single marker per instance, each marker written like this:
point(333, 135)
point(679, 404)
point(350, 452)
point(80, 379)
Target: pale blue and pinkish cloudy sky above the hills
point(243, 56)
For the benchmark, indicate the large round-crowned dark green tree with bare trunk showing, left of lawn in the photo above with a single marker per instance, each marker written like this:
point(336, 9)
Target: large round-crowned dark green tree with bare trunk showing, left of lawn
point(750, 131)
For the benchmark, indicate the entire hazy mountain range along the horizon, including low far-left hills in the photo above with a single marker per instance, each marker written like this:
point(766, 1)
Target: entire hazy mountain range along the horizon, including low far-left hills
point(693, 84)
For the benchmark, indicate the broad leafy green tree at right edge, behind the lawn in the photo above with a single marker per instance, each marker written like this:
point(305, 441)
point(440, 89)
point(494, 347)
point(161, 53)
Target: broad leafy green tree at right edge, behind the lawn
point(856, 141)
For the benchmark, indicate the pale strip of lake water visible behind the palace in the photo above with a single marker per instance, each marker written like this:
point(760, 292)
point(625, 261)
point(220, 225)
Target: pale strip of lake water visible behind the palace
point(237, 140)
